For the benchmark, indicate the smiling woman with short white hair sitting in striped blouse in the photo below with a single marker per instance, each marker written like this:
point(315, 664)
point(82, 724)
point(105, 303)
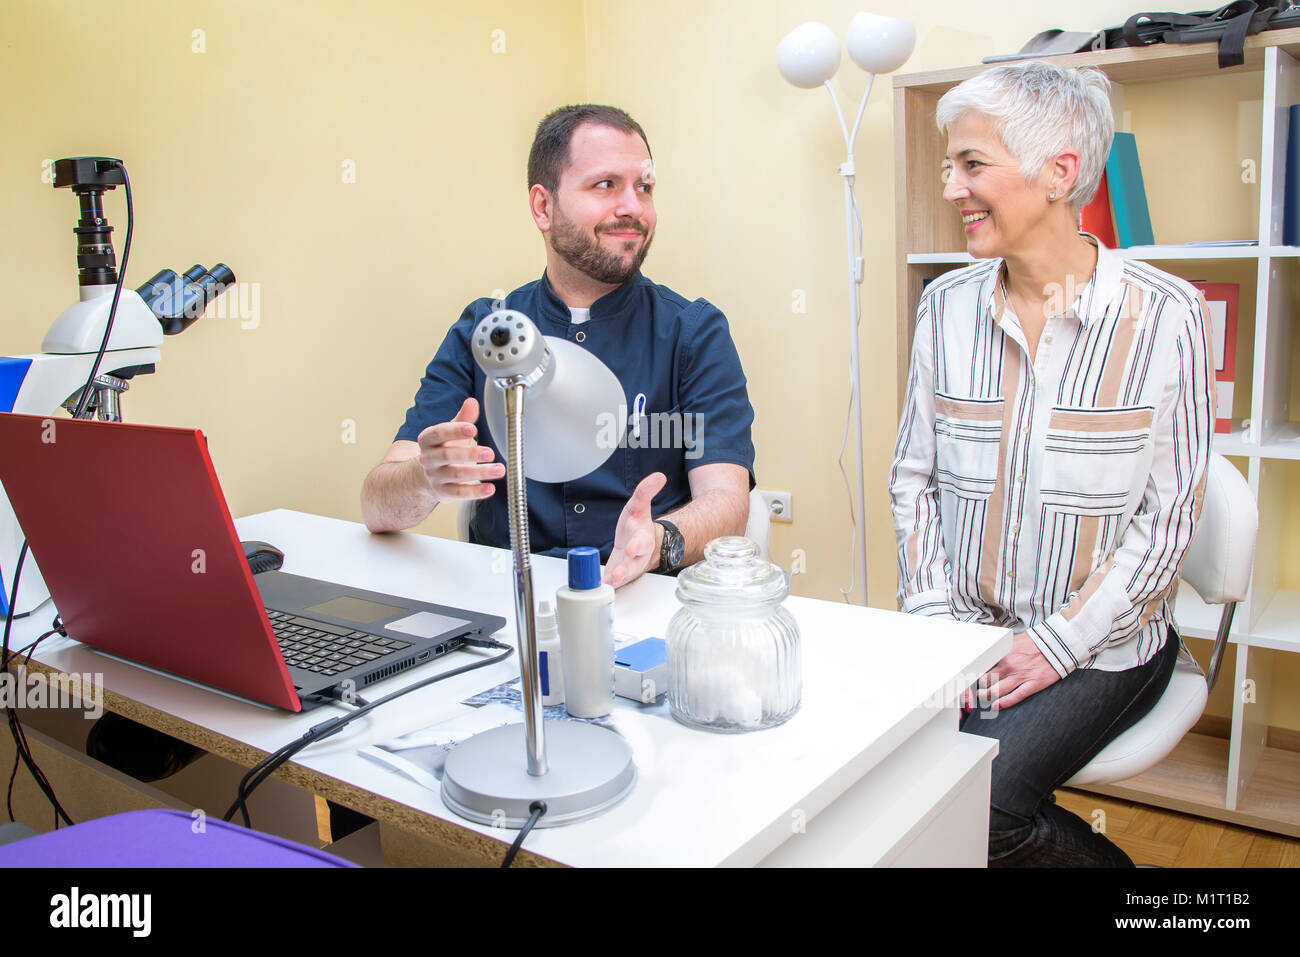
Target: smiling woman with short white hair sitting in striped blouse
point(1052, 451)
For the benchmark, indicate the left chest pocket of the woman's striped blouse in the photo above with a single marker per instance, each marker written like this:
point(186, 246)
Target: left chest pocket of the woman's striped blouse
point(968, 443)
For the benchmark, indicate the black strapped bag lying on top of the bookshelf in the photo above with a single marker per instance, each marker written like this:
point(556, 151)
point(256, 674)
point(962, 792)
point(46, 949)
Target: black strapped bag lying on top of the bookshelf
point(1230, 25)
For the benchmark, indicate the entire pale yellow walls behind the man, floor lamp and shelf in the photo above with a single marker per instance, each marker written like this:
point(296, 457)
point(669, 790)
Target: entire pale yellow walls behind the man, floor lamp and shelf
point(239, 153)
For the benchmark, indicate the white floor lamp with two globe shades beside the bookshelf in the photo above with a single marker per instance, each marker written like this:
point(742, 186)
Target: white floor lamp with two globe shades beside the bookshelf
point(808, 58)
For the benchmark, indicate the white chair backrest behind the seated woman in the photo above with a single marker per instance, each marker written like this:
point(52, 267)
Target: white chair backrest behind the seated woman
point(1219, 561)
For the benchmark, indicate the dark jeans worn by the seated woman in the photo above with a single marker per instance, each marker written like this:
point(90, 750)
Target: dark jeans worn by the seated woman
point(1043, 743)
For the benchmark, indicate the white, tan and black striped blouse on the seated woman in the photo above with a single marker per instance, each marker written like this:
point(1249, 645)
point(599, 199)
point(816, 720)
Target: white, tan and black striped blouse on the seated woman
point(1059, 497)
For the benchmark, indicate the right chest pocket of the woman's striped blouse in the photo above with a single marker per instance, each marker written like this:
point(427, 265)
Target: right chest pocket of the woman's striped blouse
point(1091, 457)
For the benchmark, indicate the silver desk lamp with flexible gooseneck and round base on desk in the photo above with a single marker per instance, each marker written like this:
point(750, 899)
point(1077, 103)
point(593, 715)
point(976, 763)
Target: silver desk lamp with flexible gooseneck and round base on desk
point(578, 769)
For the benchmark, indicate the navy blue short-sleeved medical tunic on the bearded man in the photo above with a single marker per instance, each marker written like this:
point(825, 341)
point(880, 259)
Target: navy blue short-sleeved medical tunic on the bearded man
point(678, 353)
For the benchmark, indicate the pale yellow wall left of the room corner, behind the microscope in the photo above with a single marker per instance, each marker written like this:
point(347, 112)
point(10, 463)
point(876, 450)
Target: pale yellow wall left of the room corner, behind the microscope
point(239, 154)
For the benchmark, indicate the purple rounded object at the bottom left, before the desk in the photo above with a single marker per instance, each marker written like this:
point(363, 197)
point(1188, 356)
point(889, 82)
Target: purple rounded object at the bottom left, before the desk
point(162, 839)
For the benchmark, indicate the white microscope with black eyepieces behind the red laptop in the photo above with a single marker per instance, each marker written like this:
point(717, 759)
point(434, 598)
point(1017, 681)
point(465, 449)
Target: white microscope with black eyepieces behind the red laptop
point(79, 369)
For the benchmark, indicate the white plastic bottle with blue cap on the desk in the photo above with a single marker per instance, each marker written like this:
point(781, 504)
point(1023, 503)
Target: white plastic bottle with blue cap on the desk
point(586, 616)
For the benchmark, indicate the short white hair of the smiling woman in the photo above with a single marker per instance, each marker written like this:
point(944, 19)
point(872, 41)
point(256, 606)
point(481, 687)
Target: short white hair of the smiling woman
point(1041, 110)
